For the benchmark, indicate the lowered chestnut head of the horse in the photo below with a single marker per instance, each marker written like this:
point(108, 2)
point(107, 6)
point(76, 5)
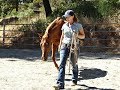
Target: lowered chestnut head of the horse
point(45, 47)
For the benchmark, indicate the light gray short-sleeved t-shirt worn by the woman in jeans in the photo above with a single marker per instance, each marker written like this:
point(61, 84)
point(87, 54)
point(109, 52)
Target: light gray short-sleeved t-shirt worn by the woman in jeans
point(68, 31)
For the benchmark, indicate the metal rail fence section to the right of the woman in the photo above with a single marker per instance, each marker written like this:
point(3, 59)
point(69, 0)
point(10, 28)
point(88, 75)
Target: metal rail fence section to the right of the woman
point(101, 37)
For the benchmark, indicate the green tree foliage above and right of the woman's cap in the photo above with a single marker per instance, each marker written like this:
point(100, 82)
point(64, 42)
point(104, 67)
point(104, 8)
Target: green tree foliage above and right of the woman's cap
point(89, 8)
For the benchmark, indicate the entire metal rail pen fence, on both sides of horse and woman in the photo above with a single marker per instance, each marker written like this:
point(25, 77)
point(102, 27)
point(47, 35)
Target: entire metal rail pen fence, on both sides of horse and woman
point(99, 37)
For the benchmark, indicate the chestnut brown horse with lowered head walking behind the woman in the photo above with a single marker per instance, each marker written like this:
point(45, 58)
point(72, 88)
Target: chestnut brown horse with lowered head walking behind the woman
point(51, 39)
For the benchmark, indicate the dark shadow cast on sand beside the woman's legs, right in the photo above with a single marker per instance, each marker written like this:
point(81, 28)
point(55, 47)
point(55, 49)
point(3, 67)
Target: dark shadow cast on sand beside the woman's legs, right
point(90, 73)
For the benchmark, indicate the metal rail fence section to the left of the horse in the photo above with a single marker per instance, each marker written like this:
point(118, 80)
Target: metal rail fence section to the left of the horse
point(19, 36)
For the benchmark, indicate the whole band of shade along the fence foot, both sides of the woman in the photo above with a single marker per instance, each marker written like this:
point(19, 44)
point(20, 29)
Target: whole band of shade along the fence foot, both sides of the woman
point(33, 54)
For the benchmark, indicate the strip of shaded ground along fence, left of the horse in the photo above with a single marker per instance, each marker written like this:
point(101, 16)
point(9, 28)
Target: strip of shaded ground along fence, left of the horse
point(26, 54)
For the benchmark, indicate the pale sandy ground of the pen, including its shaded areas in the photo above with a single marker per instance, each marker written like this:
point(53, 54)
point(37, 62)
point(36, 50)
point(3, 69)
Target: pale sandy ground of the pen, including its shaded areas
point(23, 70)
